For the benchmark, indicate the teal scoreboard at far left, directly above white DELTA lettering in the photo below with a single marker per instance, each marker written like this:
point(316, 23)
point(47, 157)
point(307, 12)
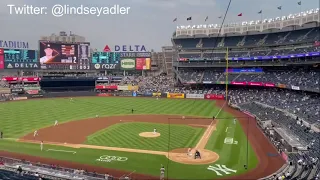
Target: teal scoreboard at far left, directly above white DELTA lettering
point(20, 56)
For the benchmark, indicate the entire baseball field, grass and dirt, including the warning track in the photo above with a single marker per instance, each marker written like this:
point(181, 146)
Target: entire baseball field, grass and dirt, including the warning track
point(104, 135)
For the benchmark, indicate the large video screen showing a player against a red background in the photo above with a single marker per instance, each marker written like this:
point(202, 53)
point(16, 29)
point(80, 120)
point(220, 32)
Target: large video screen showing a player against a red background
point(58, 53)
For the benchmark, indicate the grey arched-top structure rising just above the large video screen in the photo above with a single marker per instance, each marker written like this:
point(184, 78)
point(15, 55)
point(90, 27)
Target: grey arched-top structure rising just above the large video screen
point(64, 37)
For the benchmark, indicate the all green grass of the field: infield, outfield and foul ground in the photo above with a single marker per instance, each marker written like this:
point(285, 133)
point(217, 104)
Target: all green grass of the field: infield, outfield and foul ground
point(22, 117)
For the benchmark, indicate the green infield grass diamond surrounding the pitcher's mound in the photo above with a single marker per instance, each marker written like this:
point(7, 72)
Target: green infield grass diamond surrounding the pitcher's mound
point(172, 136)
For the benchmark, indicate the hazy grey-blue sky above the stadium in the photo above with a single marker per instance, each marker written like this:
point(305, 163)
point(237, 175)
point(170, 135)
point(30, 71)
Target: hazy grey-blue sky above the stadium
point(149, 22)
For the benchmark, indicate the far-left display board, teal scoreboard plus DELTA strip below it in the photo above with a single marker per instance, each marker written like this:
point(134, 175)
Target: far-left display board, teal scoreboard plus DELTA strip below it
point(20, 59)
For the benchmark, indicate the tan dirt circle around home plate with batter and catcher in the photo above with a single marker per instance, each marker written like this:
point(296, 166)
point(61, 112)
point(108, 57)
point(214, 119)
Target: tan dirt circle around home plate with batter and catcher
point(181, 156)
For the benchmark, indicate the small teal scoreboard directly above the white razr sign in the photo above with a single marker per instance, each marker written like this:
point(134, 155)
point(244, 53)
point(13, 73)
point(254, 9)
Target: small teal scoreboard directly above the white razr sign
point(105, 58)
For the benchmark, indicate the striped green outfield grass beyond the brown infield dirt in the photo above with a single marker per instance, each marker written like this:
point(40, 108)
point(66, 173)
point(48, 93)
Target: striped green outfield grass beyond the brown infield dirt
point(22, 117)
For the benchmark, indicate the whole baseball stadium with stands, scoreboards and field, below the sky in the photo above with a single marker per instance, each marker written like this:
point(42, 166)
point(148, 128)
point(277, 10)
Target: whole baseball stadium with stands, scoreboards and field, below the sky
point(230, 101)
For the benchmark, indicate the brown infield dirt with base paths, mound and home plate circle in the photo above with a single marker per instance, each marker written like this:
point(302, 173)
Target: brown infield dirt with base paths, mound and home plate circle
point(60, 135)
